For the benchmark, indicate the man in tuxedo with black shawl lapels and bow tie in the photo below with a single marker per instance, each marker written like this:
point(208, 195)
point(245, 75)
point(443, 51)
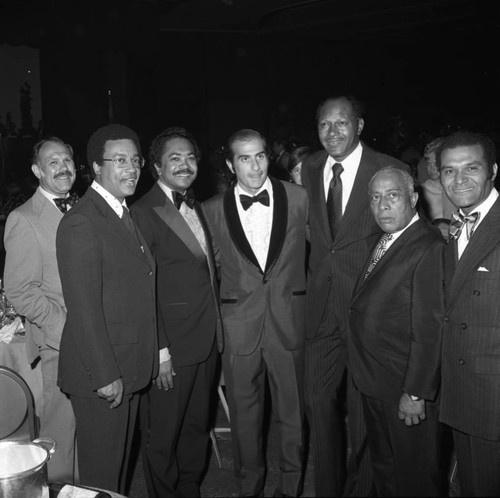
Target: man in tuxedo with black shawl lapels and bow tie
point(258, 227)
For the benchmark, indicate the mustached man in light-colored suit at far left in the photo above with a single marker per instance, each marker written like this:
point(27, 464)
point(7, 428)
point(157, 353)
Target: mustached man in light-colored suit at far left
point(33, 286)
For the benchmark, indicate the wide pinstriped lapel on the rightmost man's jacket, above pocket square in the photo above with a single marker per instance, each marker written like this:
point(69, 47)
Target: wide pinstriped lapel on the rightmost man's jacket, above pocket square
point(485, 238)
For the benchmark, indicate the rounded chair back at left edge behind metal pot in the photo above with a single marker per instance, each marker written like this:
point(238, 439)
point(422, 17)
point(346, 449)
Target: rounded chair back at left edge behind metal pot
point(18, 418)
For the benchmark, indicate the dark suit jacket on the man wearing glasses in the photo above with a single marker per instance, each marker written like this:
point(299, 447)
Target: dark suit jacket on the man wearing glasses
point(109, 288)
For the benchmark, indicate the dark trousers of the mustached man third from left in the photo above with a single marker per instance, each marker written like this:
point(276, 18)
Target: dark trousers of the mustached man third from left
point(175, 427)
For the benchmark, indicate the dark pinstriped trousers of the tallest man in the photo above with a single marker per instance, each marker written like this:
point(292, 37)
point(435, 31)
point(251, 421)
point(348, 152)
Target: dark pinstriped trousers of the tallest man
point(325, 368)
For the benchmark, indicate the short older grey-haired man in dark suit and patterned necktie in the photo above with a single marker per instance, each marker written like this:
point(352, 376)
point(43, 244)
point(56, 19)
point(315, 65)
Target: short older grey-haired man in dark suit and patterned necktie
point(395, 347)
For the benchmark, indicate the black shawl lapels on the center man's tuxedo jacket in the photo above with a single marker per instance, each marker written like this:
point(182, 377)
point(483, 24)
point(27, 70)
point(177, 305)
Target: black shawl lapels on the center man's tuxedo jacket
point(278, 229)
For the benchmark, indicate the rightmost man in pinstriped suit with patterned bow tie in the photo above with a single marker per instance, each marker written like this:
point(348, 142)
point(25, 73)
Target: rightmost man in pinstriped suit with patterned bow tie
point(470, 390)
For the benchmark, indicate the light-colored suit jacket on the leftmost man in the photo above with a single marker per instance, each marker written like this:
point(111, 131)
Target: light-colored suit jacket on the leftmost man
point(31, 276)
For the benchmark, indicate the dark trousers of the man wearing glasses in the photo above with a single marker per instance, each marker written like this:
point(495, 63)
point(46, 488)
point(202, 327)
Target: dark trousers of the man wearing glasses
point(104, 438)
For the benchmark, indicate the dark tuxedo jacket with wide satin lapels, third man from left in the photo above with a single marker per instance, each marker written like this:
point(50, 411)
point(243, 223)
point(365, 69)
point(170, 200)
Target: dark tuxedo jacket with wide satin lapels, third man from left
point(188, 313)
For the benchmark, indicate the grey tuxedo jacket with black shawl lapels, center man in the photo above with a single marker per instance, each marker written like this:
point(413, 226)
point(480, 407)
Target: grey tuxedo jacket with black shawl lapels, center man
point(252, 299)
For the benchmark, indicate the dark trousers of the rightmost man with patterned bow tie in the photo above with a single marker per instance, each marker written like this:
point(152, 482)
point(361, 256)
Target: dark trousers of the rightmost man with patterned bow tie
point(478, 465)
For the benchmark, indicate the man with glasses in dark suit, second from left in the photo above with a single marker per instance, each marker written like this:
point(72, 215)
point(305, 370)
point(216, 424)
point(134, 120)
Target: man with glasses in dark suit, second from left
point(109, 349)
